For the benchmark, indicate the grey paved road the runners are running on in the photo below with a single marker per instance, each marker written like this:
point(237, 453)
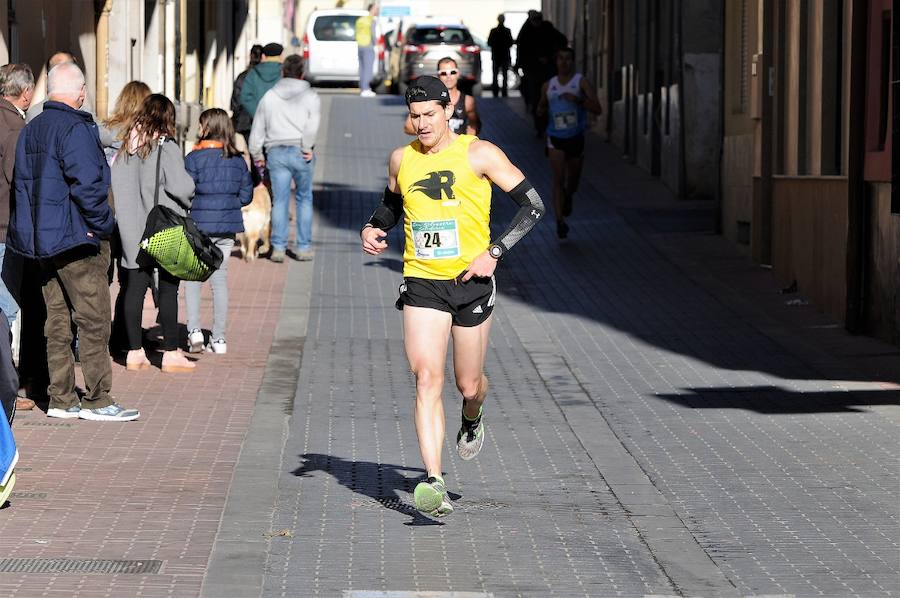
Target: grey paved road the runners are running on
point(648, 433)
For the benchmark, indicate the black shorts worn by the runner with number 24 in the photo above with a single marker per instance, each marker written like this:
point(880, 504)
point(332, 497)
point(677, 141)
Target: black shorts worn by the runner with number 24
point(470, 303)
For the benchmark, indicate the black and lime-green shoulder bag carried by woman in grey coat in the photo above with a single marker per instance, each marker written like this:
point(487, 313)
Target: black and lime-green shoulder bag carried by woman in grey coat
point(175, 242)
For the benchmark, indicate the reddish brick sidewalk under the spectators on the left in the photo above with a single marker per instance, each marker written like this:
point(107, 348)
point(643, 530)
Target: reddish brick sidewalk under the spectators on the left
point(150, 490)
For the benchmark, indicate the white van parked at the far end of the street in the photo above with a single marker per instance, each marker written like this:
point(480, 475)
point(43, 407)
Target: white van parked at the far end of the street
point(329, 47)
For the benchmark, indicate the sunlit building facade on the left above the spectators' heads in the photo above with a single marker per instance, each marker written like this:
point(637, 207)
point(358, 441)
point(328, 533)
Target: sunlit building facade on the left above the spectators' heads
point(190, 50)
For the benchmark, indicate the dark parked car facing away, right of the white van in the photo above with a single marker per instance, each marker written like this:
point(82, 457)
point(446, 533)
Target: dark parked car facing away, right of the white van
point(424, 45)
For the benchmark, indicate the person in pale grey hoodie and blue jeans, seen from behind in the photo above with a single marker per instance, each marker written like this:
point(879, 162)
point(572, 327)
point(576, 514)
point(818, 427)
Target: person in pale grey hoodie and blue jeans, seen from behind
point(282, 139)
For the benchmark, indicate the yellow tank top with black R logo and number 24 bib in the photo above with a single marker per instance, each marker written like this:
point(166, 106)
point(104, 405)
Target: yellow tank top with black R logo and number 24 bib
point(447, 210)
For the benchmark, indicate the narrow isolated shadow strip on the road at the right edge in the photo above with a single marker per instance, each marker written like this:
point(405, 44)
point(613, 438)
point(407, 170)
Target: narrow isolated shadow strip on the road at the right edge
point(771, 400)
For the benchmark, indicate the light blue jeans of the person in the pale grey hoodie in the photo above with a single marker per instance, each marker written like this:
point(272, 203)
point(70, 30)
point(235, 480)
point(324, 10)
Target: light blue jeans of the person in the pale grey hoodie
point(286, 163)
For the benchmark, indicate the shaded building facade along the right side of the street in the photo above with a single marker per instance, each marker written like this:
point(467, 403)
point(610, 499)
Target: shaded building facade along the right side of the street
point(780, 111)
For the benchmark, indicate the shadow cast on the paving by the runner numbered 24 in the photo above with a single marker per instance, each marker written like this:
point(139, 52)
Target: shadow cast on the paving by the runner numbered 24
point(379, 482)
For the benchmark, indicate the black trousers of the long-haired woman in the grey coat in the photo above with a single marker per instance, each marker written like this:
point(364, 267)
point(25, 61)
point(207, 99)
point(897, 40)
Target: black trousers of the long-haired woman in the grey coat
point(138, 281)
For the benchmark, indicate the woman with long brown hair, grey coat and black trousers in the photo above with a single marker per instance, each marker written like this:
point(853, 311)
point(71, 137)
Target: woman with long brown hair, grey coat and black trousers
point(135, 176)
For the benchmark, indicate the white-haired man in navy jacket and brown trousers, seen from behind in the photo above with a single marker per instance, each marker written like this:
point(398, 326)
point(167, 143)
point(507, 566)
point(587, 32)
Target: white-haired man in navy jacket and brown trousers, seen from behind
point(61, 217)
